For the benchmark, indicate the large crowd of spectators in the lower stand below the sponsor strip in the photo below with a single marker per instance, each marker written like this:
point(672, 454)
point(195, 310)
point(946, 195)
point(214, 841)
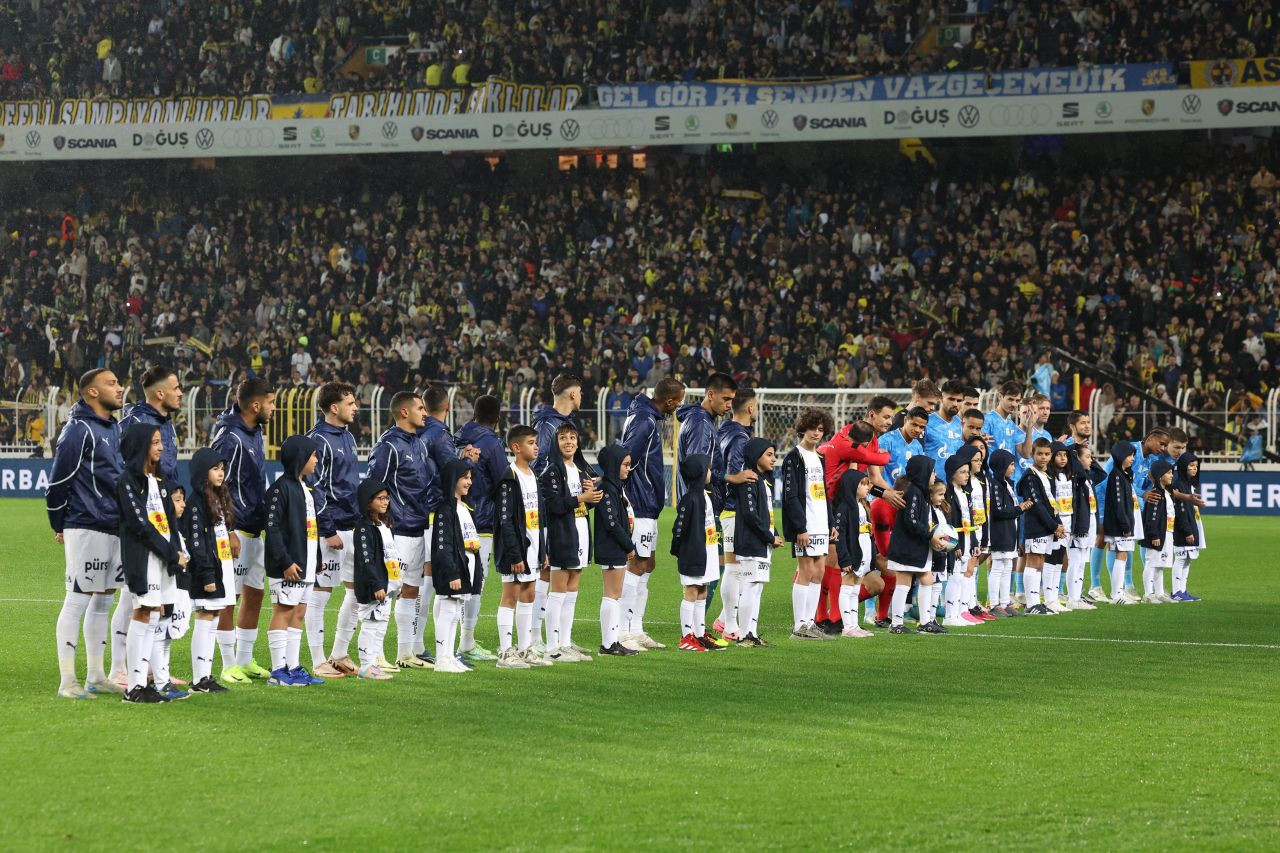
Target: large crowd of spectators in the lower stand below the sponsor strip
point(844, 279)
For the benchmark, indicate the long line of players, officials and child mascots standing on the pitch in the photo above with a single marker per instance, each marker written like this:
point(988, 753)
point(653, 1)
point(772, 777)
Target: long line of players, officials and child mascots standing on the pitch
point(380, 540)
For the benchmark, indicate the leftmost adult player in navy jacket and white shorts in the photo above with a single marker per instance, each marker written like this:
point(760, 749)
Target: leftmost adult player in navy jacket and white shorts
point(85, 518)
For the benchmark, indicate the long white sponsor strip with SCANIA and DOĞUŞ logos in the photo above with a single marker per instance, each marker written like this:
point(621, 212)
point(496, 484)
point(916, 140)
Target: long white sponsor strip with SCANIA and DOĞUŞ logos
point(825, 124)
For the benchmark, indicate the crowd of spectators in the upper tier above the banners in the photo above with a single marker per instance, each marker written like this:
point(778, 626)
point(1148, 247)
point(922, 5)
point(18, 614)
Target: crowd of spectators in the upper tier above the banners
point(176, 48)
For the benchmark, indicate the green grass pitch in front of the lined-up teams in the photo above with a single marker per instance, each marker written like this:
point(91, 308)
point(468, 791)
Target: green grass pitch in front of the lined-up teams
point(1127, 728)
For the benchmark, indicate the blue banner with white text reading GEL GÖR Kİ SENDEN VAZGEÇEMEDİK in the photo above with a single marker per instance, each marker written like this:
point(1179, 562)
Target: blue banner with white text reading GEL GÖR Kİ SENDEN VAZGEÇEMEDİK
point(1100, 80)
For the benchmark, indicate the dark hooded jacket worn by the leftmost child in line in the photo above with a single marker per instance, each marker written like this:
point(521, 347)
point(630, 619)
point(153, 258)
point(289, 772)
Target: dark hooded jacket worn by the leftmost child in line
point(139, 536)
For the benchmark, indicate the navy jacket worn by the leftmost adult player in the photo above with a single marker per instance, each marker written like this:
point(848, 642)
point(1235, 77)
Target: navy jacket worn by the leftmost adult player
point(88, 464)
